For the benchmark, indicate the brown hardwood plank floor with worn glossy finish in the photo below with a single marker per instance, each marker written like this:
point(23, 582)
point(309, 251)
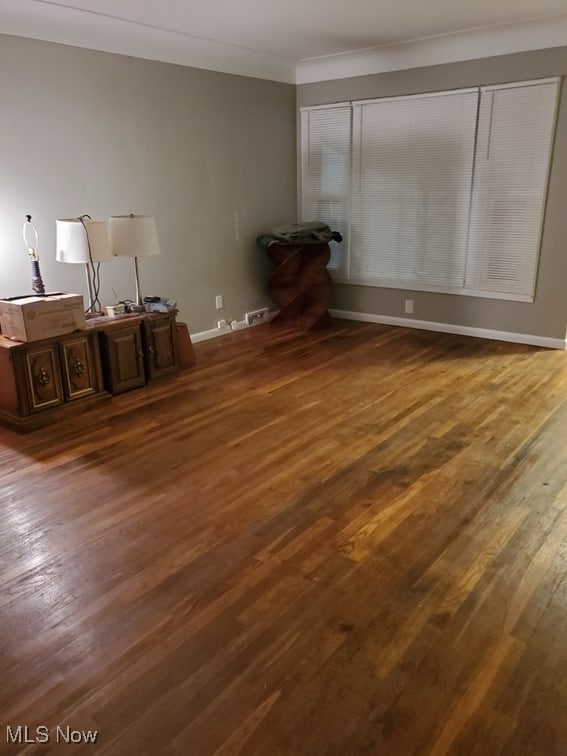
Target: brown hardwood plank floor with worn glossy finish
point(346, 542)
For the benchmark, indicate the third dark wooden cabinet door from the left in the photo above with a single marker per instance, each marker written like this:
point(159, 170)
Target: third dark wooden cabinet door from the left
point(123, 359)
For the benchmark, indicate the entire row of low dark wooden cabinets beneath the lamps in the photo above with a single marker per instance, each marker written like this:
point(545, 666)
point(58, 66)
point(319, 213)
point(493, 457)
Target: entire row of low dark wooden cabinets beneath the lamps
point(41, 381)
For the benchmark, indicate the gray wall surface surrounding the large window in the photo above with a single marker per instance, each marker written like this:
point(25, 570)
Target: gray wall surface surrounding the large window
point(547, 315)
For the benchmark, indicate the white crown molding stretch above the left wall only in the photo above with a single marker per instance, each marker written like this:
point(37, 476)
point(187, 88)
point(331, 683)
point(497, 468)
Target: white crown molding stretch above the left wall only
point(70, 26)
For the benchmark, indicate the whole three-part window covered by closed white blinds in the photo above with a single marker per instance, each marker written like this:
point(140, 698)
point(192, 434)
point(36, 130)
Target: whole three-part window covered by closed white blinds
point(441, 192)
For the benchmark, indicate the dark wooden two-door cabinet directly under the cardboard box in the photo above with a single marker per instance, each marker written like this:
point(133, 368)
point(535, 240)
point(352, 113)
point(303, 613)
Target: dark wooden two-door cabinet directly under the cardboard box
point(41, 380)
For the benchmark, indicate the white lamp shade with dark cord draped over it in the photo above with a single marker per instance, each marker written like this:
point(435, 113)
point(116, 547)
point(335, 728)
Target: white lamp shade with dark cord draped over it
point(78, 243)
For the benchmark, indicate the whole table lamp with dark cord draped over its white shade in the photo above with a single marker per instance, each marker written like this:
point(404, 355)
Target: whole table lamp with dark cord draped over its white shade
point(84, 240)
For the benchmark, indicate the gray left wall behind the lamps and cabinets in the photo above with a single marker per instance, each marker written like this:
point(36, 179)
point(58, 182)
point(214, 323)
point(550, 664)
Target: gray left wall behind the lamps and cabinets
point(103, 134)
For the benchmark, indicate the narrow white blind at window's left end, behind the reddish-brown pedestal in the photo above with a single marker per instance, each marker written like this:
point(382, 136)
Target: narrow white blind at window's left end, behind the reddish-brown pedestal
point(325, 172)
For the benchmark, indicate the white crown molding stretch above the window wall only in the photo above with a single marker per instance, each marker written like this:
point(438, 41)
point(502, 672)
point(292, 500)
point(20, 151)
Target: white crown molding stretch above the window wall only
point(450, 48)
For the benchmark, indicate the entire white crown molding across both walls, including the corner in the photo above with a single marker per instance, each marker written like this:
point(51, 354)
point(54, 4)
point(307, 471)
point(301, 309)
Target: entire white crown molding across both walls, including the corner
point(52, 22)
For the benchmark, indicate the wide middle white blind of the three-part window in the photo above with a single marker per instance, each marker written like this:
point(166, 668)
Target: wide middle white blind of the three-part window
point(412, 177)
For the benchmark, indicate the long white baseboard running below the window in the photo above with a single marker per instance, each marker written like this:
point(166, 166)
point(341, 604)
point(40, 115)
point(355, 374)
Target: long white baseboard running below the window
point(427, 325)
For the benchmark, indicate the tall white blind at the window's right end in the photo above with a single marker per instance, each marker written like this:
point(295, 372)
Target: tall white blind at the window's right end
point(515, 135)
